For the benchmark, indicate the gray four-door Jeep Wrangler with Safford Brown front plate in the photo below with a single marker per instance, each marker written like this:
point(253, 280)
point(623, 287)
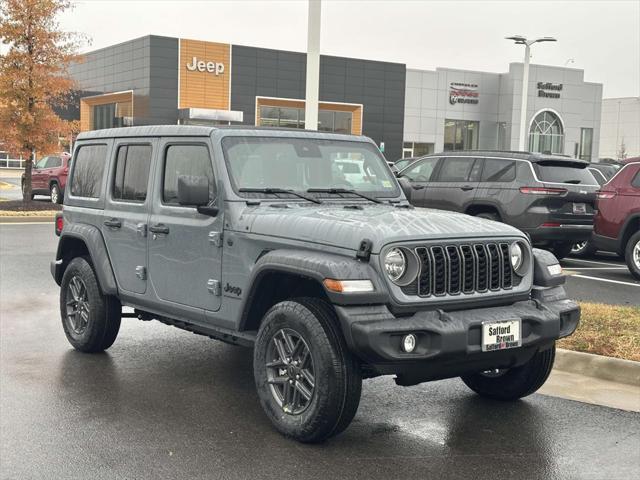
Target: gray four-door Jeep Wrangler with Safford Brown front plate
point(302, 246)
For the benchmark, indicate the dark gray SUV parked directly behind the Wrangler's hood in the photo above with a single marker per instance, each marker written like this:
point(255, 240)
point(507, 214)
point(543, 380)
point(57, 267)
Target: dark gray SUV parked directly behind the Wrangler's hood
point(550, 198)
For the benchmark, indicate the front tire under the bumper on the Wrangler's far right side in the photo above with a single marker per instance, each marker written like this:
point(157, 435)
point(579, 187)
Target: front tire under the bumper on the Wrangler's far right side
point(513, 383)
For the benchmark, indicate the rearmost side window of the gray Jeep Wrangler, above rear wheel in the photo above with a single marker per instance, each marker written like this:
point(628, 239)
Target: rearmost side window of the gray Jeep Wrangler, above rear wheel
point(88, 171)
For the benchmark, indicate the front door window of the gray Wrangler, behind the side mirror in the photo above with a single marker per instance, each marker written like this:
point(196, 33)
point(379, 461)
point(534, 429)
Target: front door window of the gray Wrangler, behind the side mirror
point(185, 160)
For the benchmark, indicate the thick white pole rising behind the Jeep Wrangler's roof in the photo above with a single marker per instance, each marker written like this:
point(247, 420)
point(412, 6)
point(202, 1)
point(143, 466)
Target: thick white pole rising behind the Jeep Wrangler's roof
point(313, 67)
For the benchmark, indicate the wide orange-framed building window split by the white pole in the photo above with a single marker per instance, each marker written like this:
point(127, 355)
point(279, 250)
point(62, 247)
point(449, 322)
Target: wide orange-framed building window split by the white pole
point(289, 117)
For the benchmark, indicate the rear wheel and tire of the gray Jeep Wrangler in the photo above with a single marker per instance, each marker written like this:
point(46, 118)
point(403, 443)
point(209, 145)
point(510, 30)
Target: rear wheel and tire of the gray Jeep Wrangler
point(90, 320)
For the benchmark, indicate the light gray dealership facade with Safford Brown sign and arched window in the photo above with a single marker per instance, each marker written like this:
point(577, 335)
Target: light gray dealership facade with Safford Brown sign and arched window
point(448, 110)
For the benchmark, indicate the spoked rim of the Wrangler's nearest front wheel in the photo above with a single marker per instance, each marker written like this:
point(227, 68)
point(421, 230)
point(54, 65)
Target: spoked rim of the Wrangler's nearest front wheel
point(290, 371)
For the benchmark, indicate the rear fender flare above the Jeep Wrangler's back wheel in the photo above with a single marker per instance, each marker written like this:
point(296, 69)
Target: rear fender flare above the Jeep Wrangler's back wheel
point(92, 238)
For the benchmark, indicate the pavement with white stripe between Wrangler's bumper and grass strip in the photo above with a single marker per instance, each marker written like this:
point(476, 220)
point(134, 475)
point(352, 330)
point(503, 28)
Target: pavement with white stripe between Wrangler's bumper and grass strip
point(602, 279)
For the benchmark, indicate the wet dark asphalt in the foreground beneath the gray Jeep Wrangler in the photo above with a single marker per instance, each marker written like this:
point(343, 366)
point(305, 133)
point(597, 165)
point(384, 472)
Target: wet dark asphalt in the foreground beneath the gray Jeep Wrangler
point(163, 403)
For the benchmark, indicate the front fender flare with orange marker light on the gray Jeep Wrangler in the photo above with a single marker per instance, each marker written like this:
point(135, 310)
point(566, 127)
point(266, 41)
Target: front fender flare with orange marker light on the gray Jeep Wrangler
point(315, 266)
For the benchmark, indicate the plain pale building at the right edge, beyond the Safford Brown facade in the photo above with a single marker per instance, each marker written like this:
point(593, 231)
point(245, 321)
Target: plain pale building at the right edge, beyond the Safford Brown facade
point(620, 127)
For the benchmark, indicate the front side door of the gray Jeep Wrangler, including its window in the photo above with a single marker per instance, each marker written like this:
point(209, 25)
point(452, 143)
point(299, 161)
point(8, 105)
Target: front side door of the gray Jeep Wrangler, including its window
point(185, 254)
